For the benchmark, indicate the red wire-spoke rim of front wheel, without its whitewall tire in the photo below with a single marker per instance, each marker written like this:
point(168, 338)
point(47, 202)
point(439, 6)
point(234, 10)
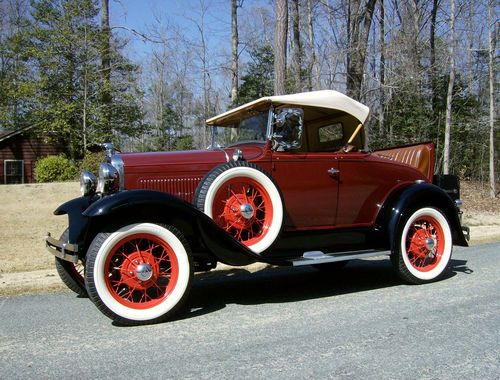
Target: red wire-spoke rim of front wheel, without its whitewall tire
point(141, 271)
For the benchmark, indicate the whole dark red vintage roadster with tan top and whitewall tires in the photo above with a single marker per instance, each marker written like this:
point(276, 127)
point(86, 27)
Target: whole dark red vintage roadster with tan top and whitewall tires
point(286, 182)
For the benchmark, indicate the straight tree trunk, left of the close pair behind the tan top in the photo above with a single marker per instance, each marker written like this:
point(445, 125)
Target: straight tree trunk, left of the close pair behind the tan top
point(280, 37)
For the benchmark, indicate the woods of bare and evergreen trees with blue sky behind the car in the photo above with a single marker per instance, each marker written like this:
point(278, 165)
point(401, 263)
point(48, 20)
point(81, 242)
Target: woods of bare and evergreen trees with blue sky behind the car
point(427, 69)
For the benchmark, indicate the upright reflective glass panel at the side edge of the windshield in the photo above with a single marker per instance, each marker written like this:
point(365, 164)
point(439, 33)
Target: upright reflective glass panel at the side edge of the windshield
point(288, 127)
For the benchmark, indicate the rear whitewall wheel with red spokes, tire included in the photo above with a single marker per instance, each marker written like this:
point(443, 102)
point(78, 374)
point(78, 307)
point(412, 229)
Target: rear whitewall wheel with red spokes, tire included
point(424, 245)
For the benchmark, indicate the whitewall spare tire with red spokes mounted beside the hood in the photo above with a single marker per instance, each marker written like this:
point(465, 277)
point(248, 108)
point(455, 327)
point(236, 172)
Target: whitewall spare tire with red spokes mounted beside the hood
point(244, 201)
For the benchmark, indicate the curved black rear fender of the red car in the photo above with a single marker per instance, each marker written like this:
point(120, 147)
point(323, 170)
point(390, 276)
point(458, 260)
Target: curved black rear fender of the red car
point(404, 200)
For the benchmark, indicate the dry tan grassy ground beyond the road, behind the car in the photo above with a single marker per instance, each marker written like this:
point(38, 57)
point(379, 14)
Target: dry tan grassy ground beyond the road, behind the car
point(27, 215)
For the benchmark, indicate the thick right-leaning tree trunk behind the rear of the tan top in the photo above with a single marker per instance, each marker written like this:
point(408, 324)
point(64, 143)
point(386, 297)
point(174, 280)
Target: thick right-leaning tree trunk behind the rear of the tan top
point(359, 22)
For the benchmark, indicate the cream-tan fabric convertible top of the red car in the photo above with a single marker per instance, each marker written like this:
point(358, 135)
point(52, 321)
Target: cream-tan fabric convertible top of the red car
point(326, 99)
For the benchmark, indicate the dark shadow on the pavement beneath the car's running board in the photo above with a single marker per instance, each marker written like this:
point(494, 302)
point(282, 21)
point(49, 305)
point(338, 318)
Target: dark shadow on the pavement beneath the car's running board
point(213, 291)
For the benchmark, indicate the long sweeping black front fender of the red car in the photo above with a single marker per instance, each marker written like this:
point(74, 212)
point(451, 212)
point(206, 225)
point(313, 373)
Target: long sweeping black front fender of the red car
point(148, 205)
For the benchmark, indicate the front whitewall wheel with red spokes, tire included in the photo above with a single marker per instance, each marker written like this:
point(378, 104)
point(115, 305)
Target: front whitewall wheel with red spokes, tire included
point(140, 273)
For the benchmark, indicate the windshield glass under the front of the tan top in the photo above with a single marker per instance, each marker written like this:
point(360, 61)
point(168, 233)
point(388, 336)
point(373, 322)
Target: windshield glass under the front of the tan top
point(250, 129)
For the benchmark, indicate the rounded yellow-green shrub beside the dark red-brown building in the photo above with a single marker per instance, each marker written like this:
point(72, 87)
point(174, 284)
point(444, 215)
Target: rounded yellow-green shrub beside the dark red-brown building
point(55, 169)
